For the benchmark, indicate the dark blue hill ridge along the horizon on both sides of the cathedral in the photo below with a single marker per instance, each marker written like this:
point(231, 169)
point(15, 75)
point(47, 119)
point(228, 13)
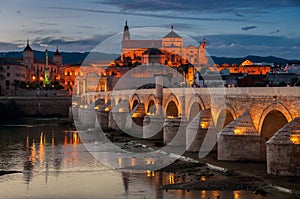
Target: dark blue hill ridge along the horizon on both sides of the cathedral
point(77, 58)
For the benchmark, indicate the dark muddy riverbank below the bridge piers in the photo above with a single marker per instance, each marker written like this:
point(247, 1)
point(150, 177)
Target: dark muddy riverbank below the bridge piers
point(192, 173)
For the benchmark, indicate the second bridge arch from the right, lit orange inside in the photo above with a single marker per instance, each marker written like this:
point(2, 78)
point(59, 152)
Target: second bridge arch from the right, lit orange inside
point(226, 114)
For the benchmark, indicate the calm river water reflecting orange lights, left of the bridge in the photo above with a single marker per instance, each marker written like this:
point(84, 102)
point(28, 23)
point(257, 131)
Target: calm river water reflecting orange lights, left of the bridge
point(53, 163)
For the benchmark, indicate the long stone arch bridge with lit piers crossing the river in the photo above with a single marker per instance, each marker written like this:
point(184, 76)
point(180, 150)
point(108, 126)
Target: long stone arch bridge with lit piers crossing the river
point(255, 124)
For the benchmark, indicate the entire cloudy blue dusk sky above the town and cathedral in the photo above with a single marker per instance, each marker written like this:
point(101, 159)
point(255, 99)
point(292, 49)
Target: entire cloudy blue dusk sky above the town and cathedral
point(232, 29)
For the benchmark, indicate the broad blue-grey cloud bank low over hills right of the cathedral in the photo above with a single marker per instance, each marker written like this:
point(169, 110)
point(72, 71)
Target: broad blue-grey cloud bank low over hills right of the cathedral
point(239, 45)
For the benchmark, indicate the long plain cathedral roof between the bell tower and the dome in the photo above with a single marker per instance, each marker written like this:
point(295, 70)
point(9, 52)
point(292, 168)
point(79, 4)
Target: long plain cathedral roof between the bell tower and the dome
point(141, 43)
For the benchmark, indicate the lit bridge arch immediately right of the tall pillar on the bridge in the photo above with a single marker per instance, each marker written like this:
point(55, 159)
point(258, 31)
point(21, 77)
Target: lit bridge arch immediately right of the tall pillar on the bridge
point(172, 106)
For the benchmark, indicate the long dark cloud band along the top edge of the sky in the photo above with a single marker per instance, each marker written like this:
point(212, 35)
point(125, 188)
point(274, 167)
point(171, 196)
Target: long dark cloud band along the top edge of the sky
point(196, 5)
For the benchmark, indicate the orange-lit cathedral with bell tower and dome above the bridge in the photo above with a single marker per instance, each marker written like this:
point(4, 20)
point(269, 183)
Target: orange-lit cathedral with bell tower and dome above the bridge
point(170, 50)
